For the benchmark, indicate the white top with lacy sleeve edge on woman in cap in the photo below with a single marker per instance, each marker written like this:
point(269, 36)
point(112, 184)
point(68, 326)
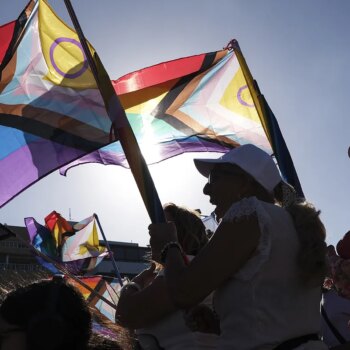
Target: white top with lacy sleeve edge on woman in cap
point(263, 304)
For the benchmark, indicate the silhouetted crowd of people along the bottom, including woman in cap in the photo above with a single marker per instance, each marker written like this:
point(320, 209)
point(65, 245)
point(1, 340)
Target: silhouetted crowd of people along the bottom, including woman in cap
point(257, 283)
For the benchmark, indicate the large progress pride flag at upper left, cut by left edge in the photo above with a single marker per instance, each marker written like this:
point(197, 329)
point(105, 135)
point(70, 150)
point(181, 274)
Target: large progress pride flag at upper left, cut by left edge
point(51, 111)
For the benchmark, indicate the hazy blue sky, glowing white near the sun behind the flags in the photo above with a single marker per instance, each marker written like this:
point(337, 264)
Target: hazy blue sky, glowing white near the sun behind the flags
point(299, 53)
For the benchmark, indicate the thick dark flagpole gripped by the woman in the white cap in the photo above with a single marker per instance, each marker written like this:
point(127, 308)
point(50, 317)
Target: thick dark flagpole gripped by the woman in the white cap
point(123, 129)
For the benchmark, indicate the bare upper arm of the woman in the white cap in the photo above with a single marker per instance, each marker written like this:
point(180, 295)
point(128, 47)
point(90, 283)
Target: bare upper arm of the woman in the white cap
point(228, 250)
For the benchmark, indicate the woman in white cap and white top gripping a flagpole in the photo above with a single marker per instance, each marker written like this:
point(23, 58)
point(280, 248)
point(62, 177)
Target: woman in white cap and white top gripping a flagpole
point(265, 262)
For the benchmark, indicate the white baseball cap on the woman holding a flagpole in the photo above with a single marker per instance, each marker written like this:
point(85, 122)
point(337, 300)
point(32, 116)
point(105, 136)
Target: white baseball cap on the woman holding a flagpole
point(249, 158)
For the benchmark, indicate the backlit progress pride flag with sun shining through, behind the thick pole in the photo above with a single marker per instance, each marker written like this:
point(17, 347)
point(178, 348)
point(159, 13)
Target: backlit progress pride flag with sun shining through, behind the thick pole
point(195, 104)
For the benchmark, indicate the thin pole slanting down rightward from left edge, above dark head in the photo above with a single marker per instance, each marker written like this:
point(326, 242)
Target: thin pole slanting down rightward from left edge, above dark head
point(59, 267)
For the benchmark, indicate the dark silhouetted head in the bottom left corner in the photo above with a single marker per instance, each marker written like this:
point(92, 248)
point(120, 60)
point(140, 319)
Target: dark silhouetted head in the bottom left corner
point(48, 315)
